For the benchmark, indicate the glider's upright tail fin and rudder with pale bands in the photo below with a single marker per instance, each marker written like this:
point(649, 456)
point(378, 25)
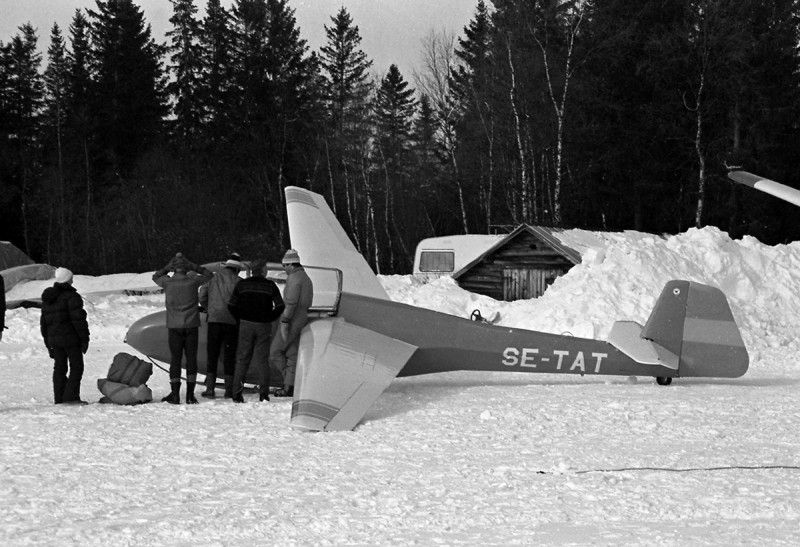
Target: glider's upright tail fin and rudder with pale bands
point(694, 322)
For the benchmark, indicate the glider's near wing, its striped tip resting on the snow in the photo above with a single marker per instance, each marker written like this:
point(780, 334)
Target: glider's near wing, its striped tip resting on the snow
point(341, 371)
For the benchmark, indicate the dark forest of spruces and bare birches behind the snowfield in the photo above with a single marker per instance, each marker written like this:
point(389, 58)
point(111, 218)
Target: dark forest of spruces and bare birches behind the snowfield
point(117, 150)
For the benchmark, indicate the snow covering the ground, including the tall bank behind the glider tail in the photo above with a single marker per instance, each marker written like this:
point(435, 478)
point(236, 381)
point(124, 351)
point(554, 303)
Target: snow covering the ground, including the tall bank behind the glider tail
point(450, 459)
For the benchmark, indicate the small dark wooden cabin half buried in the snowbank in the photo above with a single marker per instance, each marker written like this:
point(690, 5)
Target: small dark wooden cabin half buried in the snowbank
point(518, 266)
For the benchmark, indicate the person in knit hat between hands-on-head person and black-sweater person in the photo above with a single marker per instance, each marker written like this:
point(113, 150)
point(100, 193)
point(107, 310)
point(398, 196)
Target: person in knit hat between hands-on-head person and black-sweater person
point(223, 332)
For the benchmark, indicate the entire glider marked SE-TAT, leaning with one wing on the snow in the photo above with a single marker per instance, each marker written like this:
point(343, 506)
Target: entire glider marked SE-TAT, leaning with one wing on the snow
point(359, 340)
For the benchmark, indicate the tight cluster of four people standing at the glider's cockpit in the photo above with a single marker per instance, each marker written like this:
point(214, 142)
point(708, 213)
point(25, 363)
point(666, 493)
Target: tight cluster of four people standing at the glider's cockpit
point(241, 317)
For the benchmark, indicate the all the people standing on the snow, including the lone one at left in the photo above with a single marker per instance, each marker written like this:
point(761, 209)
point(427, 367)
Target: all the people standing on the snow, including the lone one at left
point(243, 327)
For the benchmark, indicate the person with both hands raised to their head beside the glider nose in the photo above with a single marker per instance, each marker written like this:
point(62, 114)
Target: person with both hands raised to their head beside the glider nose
point(183, 321)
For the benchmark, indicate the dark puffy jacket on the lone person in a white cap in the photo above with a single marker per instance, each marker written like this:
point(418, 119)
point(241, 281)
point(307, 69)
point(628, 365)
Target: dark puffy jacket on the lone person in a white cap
point(63, 323)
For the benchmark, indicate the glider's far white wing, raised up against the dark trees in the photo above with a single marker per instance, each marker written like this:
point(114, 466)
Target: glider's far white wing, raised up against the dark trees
point(320, 240)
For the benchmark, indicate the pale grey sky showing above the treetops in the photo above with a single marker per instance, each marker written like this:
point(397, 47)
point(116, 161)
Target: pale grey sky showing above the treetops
point(391, 30)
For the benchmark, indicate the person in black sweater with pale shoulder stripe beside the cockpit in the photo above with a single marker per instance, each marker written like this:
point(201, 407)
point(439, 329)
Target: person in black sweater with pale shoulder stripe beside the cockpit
point(256, 302)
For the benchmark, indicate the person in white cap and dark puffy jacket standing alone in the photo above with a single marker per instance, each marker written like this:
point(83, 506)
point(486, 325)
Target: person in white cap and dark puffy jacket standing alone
point(66, 334)
